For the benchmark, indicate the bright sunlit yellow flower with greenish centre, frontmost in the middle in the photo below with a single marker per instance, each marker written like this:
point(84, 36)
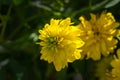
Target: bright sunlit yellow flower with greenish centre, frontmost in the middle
point(60, 43)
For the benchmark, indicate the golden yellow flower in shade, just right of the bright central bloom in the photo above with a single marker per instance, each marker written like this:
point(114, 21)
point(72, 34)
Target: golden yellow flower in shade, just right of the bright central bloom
point(98, 34)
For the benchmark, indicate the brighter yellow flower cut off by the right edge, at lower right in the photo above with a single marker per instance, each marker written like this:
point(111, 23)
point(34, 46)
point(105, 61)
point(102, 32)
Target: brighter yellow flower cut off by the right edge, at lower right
point(116, 66)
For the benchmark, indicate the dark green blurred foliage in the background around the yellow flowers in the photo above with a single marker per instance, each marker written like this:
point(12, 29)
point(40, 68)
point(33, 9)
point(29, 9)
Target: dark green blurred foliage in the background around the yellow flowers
point(19, 24)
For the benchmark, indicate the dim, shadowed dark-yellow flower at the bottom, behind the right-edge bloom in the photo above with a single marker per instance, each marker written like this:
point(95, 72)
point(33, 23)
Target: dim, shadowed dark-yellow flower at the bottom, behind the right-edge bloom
point(102, 69)
